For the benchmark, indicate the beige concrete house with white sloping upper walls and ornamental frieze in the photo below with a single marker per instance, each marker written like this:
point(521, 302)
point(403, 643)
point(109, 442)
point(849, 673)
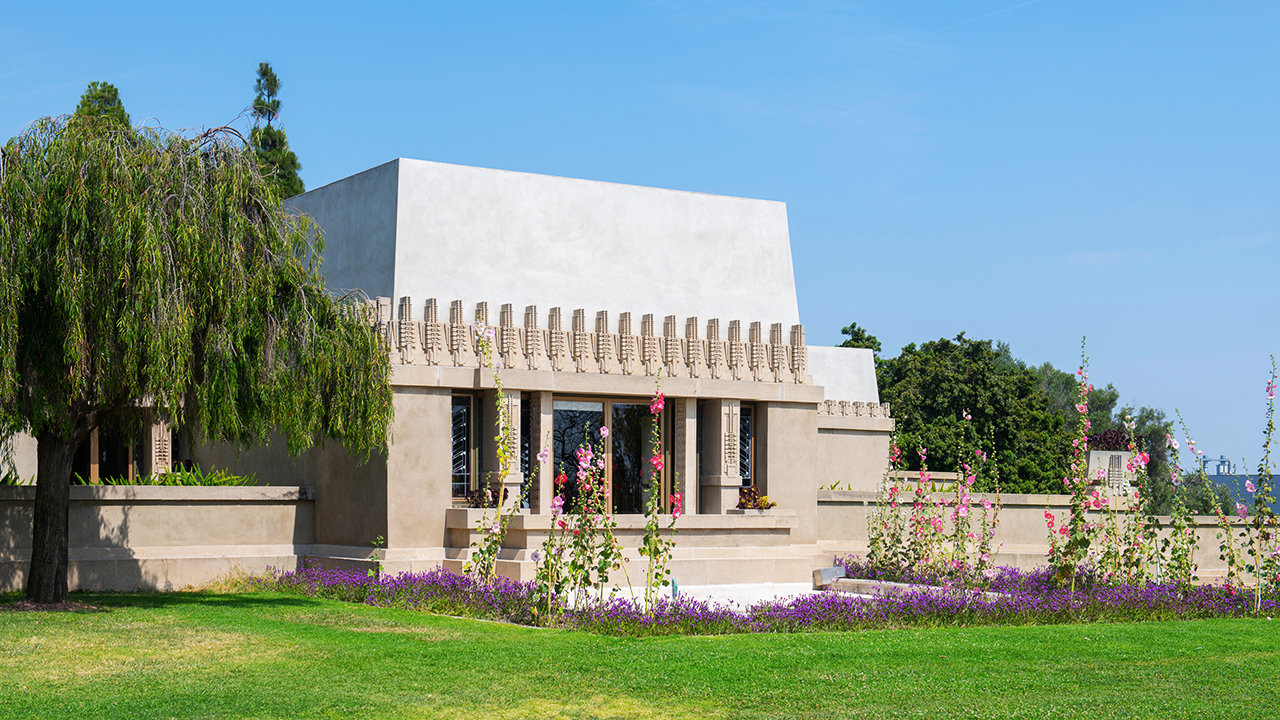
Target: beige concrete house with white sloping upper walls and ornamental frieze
point(596, 291)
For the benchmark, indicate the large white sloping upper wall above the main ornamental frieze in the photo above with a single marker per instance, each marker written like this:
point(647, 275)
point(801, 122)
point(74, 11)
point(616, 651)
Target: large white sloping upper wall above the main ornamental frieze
point(435, 230)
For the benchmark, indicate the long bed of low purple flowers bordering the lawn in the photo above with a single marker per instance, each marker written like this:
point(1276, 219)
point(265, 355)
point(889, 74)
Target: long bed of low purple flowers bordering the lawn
point(1031, 598)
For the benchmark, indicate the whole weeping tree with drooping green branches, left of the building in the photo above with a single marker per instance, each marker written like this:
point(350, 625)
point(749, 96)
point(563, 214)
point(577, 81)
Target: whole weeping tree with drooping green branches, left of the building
point(148, 270)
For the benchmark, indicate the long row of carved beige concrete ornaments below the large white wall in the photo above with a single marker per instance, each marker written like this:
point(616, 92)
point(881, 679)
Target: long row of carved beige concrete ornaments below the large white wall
point(596, 348)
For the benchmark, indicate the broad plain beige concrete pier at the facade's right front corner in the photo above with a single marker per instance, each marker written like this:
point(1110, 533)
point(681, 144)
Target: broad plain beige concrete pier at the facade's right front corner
point(788, 462)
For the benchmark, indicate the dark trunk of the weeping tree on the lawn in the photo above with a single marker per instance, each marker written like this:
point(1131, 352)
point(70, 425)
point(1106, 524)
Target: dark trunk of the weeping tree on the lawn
point(47, 581)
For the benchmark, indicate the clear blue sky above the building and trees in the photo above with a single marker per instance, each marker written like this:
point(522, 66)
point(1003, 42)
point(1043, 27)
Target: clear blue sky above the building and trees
point(1028, 172)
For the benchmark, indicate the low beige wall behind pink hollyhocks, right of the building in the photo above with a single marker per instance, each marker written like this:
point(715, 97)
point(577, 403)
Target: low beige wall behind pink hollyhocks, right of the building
point(843, 528)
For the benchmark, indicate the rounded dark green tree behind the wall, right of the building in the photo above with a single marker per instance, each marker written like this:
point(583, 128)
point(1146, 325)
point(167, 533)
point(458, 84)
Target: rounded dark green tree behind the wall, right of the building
point(932, 386)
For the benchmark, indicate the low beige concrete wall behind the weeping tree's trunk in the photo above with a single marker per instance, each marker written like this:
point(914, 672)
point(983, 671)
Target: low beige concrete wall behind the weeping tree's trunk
point(141, 537)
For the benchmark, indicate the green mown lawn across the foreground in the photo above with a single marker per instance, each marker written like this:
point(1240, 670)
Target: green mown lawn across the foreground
point(266, 655)
